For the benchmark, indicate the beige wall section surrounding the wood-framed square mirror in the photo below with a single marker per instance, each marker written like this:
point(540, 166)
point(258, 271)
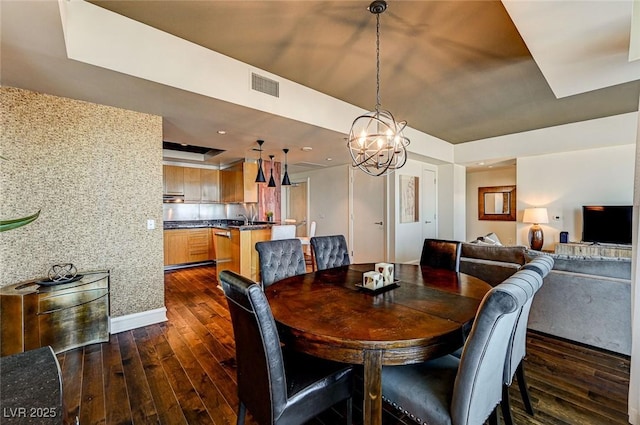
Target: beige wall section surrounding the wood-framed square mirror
point(506, 230)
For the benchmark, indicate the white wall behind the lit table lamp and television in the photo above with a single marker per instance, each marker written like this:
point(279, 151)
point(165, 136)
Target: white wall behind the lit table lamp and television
point(563, 182)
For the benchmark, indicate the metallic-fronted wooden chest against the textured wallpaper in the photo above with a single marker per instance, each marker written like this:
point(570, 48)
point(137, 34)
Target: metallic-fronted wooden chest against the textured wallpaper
point(62, 316)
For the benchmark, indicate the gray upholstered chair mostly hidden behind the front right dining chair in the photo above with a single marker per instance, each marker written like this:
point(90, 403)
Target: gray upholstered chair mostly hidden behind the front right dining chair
point(514, 366)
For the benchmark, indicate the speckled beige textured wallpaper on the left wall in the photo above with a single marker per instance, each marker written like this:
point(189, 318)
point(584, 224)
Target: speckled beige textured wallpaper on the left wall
point(95, 172)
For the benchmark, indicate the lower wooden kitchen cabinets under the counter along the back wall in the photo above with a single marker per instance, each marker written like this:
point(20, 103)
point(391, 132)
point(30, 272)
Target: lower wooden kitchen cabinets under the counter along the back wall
point(187, 246)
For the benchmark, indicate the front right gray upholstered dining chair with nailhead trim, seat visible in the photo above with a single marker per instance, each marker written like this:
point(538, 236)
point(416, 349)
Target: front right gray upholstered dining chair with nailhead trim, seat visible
point(463, 391)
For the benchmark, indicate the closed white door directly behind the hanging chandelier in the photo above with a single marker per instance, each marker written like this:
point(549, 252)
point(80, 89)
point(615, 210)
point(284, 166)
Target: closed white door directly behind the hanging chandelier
point(367, 218)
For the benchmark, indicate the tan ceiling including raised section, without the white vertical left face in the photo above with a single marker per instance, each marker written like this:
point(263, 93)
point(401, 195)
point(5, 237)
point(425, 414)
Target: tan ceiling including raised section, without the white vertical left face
point(456, 70)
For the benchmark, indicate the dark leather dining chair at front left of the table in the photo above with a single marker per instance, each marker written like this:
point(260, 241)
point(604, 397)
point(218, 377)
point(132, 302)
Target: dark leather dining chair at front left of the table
point(277, 386)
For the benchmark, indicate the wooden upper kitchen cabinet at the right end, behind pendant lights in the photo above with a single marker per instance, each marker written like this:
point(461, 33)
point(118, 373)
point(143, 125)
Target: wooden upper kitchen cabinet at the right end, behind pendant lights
point(238, 183)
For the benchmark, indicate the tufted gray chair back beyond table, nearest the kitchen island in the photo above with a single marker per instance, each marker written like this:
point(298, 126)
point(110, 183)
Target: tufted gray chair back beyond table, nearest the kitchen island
point(279, 259)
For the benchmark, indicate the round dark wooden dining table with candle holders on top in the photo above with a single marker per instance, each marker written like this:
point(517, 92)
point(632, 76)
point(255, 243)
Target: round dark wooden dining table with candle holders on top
point(424, 315)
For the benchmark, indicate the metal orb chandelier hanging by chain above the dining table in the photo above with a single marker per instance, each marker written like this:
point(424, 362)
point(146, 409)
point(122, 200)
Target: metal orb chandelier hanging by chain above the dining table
point(376, 141)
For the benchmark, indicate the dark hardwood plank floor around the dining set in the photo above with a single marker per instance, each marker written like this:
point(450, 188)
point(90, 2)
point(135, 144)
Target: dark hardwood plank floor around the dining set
point(182, 371)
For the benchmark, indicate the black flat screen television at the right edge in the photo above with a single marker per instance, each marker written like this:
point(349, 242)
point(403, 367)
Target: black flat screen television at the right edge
point(607, 224)
